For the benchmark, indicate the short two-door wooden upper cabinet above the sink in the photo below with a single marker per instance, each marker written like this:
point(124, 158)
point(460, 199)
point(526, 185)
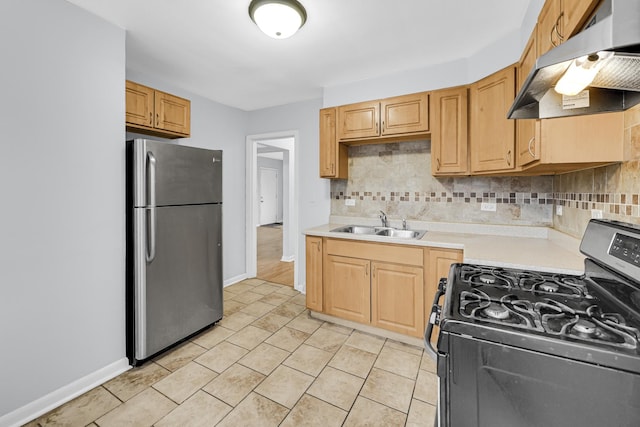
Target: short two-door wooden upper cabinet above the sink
point(390, 117)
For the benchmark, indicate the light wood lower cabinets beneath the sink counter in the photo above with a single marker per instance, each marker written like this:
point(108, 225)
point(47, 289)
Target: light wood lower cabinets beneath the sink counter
point(384, 285)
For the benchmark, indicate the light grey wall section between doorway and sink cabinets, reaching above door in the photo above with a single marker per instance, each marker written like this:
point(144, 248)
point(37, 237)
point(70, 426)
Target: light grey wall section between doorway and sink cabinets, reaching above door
point(313, 199)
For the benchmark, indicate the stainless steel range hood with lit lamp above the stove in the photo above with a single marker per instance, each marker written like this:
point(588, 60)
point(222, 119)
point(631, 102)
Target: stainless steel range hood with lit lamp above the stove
point(615, 27)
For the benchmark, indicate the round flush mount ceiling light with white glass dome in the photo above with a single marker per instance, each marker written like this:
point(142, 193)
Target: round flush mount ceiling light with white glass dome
point(278, 18)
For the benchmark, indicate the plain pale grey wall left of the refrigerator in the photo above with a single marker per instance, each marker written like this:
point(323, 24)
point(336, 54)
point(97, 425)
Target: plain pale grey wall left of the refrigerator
point(62, 229)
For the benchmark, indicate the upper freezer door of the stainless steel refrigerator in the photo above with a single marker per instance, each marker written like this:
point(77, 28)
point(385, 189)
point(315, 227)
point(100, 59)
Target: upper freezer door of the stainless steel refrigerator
point(172, 174)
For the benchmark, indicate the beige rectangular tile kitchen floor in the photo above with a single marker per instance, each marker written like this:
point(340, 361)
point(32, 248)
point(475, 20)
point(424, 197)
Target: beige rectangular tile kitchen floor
point(267, 363)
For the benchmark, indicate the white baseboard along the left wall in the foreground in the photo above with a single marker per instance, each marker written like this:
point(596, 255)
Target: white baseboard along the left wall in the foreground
point(64, 394)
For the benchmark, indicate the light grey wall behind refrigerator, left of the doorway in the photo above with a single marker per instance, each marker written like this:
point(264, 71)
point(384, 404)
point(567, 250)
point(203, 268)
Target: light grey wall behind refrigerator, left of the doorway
point(218, 127)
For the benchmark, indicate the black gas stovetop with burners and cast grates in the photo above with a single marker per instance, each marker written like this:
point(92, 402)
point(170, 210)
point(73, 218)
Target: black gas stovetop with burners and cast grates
point(552, 305)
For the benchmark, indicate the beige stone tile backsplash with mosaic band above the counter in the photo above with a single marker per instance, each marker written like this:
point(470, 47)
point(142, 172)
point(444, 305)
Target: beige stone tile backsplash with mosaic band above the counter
point(396, 178)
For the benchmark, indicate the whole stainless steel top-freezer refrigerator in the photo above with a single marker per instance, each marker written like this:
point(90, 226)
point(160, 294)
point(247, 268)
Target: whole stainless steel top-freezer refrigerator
point(174, 244)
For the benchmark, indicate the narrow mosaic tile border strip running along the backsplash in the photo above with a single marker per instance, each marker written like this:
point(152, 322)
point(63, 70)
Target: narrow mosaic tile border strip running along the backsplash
point(625, 204)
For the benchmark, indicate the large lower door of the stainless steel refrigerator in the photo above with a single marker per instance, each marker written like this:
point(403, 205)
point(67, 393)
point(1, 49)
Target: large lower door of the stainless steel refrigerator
point(178, 274)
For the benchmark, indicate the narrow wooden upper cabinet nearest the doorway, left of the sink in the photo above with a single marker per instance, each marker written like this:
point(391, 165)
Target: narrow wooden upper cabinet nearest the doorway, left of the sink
point(333, 155)
